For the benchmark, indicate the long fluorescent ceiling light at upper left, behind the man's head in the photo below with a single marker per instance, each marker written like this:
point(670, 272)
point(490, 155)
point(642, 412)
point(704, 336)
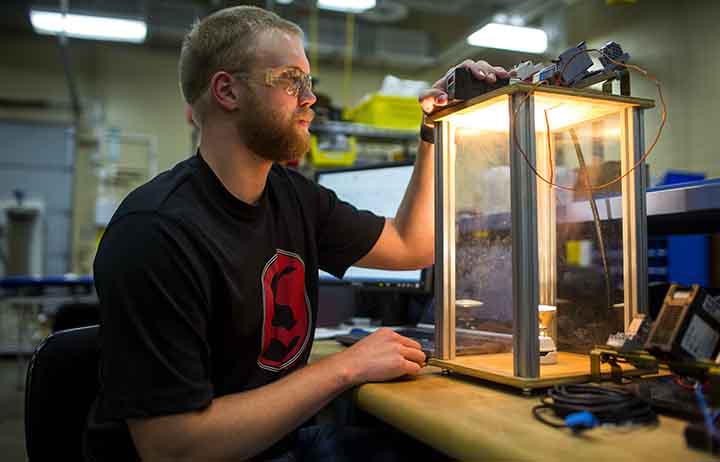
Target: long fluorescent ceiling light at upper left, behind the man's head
point(89, 27)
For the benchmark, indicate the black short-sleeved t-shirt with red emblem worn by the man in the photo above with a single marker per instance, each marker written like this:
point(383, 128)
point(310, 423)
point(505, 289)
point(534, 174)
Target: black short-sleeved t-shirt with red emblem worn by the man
point(203, 295)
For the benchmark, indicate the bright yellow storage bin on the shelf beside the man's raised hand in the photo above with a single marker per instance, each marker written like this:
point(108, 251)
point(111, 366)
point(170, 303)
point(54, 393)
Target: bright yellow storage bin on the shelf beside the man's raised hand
point(398, 112)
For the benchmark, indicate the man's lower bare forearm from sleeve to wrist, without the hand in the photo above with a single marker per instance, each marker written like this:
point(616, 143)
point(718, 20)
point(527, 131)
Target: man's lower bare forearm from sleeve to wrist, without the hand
point(238, 426)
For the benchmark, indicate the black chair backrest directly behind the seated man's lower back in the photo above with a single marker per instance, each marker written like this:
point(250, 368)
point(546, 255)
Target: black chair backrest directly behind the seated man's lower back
point(60, 387)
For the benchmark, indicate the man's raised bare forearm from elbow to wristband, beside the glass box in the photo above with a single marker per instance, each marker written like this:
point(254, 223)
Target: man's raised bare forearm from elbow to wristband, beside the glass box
point(415, 218)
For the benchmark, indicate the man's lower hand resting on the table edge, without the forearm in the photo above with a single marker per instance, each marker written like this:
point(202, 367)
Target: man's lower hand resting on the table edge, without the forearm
point(382, 355)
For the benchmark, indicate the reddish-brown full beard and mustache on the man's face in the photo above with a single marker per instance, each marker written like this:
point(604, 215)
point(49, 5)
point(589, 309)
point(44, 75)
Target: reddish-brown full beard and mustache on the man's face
point(266, 133)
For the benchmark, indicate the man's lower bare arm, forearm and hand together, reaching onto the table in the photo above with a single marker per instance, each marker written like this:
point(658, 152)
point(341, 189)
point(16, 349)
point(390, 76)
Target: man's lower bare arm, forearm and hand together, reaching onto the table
point(240, 425)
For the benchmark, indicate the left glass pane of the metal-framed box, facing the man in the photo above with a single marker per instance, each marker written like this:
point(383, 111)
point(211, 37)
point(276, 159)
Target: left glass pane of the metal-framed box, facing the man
point(483, 245)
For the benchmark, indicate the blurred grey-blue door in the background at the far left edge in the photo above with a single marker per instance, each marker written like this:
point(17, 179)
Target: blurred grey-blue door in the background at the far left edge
point(36, 196)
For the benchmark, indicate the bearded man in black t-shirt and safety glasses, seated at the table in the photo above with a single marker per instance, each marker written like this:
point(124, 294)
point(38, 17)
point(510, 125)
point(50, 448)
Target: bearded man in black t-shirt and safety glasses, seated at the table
point(207, 274)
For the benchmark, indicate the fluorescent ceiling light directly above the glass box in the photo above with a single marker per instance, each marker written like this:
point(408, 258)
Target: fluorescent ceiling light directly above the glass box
point(507, 37)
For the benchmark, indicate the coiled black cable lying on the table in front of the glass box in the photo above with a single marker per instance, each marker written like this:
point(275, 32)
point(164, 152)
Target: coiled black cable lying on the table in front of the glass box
point(608, 405)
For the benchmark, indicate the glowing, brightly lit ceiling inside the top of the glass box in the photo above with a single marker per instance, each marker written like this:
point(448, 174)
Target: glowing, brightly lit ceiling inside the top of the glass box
point(562, 112)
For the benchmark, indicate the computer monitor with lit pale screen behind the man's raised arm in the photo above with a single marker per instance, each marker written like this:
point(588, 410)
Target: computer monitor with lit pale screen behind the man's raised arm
point(380, 189)
